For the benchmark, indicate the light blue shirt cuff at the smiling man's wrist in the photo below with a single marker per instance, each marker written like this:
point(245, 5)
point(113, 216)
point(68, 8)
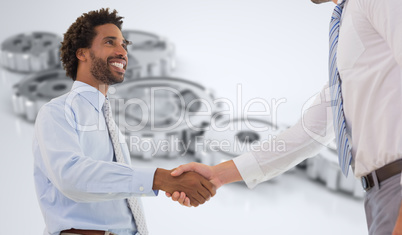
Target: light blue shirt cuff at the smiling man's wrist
point(143, 180)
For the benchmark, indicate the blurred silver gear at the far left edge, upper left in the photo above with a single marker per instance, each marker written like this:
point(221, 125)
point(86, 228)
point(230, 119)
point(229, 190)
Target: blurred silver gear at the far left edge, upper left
point(30, 52)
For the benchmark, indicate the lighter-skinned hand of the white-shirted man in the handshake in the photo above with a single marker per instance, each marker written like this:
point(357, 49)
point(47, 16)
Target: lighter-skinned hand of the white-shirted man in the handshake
point(218, 175)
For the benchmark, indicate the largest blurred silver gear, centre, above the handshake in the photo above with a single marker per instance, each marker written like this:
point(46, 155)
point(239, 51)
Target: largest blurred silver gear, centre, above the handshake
point(162, 112)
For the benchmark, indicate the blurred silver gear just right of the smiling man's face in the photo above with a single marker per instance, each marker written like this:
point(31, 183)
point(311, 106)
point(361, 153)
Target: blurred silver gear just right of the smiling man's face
point(149, 55)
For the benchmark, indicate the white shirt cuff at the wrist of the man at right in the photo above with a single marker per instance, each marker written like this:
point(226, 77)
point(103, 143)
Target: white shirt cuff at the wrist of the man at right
point(249, 169)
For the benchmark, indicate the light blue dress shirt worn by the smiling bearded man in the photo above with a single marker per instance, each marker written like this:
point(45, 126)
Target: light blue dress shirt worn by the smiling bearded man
point(77, 182)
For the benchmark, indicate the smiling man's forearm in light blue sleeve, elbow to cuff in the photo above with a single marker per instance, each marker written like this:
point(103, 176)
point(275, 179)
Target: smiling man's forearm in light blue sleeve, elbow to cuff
point(102, 181)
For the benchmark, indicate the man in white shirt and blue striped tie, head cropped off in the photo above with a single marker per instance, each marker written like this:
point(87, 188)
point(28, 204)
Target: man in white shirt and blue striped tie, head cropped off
point(365, 90)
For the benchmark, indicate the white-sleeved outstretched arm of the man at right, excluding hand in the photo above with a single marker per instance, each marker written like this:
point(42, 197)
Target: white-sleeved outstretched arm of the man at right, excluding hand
point(305, 139)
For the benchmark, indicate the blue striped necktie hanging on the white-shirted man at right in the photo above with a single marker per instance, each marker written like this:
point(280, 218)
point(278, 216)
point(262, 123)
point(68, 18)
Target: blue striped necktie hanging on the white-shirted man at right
point(343, 140)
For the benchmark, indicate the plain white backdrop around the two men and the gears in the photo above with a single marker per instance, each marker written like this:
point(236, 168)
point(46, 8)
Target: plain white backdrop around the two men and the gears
point(274, 49)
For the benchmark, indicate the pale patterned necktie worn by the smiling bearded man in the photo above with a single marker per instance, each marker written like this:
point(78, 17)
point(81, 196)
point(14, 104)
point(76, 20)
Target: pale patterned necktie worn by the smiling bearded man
point(133, 203)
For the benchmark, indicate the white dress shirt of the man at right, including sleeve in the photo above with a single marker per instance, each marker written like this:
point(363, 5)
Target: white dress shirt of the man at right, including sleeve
point(370, 66)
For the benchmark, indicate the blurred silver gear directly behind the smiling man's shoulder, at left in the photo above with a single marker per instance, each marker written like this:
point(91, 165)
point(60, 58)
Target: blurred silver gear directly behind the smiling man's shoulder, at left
point(37, 89)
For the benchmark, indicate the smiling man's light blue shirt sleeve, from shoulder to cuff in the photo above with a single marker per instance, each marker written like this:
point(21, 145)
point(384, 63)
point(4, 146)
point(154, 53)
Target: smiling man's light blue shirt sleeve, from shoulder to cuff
point(61, 159)
